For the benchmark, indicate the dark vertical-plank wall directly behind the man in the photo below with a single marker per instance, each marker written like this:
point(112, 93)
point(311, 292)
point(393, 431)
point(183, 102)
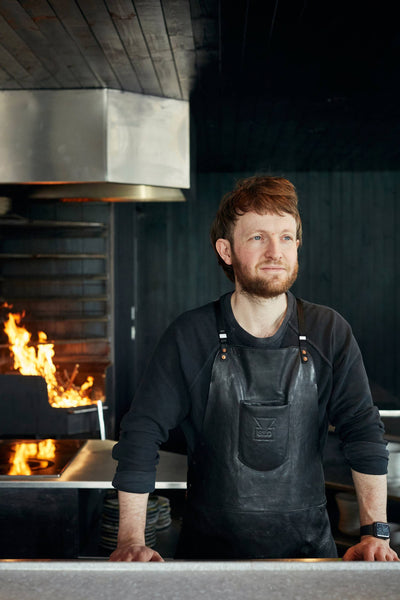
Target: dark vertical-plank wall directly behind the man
point(348, 261)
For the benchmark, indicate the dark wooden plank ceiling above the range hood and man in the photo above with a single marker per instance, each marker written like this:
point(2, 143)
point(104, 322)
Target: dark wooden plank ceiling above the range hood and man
point(274, 85)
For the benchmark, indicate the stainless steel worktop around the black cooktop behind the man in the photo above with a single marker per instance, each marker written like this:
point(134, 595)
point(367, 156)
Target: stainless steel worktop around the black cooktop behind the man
point(94, 467)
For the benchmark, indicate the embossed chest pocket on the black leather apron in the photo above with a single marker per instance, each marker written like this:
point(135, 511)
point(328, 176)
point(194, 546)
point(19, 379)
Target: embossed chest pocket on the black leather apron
point(263, 435)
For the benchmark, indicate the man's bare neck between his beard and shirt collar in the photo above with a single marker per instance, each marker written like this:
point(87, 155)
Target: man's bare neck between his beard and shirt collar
point(261, 317)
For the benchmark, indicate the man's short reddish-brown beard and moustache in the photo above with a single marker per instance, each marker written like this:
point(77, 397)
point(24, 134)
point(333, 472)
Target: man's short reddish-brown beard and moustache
point(264, 287)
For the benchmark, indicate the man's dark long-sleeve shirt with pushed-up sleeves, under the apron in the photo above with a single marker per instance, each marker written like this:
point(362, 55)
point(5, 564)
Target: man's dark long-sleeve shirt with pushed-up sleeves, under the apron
point(174, 389)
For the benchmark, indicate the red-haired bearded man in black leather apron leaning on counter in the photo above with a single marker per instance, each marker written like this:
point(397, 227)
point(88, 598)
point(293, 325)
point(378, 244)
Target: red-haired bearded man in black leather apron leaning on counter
point(253, 380)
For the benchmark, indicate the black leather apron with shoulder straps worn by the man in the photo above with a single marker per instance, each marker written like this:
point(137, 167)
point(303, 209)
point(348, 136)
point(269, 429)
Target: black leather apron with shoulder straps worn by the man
point(255, 483)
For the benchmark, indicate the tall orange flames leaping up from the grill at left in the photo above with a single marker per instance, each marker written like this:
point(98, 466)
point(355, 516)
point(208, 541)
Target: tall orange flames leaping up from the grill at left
point(29, 360)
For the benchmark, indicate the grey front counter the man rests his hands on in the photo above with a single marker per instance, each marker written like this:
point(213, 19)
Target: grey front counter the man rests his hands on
point(181, 580)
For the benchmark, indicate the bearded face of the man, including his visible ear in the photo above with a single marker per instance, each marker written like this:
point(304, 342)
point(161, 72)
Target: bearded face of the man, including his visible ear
point(264, 254)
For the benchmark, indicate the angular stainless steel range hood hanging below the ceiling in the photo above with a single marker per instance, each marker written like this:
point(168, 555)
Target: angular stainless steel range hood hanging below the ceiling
point(93, 144)
